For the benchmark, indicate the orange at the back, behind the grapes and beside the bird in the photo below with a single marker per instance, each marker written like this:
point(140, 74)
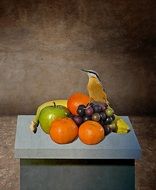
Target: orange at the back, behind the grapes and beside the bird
point(75, 100)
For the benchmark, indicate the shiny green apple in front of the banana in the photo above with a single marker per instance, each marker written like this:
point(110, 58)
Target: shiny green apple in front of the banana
point(49, 114)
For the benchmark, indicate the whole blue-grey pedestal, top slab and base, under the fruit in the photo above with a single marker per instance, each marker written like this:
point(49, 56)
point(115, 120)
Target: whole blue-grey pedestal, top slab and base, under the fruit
point(46, 165)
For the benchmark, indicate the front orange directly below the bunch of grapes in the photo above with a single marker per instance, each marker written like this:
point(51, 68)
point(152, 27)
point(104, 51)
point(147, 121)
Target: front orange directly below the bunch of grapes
point(91, 132)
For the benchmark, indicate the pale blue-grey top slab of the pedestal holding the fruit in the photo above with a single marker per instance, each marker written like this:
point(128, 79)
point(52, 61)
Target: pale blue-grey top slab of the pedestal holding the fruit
point(40, 145)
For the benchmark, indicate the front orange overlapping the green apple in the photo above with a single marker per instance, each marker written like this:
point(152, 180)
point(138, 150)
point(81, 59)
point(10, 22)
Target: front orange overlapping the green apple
point(63, 130)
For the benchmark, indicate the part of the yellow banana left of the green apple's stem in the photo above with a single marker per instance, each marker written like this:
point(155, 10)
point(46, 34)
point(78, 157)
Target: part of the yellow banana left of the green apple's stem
point(35, 122)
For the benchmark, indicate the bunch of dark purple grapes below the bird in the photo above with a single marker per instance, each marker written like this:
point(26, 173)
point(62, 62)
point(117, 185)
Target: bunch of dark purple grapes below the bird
point(98, 112)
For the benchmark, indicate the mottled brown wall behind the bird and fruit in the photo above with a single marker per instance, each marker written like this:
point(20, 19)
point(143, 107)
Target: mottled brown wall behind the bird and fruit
point(43, 43)
